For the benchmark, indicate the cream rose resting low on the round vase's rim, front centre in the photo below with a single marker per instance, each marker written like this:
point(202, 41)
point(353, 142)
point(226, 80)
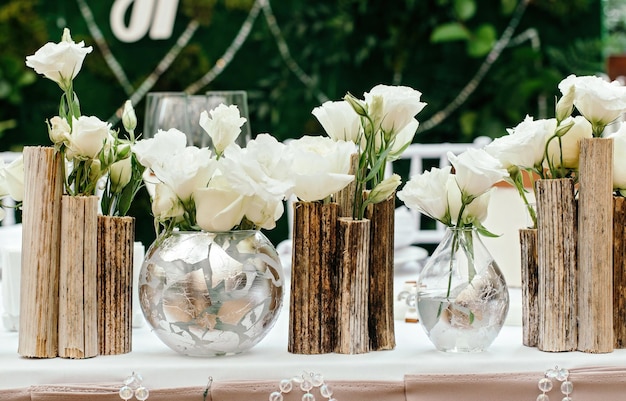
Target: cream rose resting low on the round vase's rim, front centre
point(219, 207)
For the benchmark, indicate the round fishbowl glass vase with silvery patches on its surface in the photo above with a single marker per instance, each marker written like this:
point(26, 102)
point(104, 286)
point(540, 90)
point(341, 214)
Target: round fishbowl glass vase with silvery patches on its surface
point(209, 294)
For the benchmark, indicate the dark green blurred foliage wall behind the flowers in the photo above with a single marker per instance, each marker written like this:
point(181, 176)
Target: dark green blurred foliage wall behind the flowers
point(435, 46)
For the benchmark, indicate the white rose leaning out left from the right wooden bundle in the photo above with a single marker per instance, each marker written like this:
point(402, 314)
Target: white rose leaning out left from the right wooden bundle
point(525, 144)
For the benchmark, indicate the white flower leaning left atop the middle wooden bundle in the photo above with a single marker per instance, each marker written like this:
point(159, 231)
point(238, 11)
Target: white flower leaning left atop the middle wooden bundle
point(340, 121)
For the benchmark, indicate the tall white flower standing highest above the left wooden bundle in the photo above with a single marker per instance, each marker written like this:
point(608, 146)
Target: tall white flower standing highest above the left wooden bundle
point(61, 61)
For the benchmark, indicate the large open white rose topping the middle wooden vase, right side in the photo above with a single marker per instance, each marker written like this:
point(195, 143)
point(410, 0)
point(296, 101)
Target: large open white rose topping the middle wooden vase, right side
point(400, 104)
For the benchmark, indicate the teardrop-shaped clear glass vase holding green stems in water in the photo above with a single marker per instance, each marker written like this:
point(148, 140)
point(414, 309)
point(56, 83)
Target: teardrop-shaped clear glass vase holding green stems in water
point(462, 296)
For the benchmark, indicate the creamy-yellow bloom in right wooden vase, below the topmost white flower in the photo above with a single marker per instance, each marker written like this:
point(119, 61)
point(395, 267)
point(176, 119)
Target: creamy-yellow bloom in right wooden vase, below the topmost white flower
point(570, 143)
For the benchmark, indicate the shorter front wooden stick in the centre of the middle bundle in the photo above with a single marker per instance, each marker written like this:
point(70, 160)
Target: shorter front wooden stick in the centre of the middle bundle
point(353, 256)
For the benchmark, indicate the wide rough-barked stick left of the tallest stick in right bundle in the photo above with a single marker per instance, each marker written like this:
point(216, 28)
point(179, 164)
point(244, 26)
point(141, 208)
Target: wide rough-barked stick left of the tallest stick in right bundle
point(557, 244)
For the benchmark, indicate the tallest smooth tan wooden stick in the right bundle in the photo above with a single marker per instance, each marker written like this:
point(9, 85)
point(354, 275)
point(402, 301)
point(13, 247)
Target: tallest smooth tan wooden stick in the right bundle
point(595, 246)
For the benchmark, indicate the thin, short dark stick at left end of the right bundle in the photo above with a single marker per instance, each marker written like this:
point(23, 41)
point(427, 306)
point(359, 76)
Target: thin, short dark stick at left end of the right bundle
point(529, 269)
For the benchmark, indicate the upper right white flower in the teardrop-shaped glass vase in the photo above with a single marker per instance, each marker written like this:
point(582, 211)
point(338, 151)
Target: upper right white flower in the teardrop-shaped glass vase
point(476, 171)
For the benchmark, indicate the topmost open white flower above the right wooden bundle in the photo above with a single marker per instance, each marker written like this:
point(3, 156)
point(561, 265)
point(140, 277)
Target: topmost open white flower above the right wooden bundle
point(598, 100)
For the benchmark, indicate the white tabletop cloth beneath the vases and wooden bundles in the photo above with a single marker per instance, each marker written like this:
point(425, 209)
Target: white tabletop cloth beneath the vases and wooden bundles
point(270, 360)
